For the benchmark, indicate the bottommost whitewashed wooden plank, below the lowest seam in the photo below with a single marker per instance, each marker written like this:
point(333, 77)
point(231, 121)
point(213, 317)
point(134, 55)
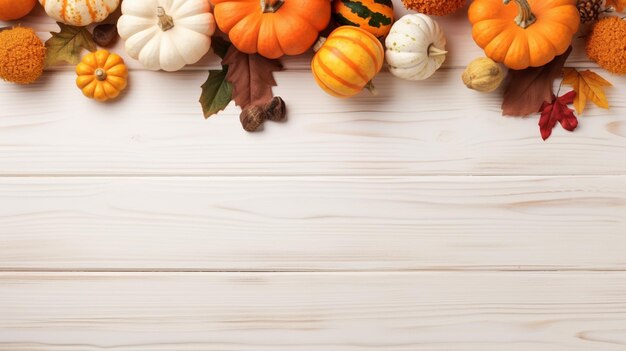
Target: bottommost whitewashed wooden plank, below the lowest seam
point(313, 312)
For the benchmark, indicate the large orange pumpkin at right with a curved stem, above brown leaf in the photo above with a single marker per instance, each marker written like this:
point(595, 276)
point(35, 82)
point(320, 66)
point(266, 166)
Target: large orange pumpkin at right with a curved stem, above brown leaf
point(530, 34)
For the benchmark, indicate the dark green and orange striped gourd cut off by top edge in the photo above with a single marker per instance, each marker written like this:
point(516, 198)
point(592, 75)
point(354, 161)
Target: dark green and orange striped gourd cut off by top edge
point(375, 16)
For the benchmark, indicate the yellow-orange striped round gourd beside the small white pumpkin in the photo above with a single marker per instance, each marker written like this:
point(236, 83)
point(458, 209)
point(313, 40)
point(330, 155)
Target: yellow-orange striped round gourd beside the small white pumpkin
point(347, 61)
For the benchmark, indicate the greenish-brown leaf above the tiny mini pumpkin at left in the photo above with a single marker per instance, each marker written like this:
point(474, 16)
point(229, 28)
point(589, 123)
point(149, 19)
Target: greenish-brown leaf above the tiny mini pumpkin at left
point(67, 45)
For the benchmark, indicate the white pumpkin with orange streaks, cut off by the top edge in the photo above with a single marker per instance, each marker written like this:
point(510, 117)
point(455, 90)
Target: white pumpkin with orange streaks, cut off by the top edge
point(79, 12)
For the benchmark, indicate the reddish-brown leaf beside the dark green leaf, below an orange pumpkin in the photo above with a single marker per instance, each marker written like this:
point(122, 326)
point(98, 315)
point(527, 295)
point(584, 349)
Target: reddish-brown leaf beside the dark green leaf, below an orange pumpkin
point(251, 76)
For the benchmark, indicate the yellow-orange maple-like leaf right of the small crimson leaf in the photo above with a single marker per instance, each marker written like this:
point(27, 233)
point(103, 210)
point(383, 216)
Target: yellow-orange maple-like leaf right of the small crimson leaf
point(588, 86)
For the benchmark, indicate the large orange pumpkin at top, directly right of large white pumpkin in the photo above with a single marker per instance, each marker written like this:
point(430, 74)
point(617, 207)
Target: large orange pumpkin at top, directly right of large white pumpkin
point(272, 28)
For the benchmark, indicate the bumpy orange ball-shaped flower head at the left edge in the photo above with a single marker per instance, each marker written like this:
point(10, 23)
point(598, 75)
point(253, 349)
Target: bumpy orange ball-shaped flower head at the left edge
point(21, 55)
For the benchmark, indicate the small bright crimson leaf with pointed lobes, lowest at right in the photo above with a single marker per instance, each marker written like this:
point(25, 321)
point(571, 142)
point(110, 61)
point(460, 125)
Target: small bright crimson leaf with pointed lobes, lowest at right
point(557, 111)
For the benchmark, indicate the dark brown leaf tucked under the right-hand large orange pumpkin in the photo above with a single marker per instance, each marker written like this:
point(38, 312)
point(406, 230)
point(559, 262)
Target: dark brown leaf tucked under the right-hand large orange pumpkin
point(529, 88)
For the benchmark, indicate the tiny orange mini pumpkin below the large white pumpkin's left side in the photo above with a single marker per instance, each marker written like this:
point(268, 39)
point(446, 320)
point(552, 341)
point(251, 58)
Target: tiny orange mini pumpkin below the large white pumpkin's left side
point(102, 75)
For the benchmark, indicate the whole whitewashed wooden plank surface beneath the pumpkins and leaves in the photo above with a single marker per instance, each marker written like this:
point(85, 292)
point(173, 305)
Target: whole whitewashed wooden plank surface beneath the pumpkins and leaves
point(419, 219)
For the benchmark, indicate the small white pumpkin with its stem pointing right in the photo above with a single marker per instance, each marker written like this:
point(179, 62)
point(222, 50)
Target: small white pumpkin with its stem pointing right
point(415, 47)
